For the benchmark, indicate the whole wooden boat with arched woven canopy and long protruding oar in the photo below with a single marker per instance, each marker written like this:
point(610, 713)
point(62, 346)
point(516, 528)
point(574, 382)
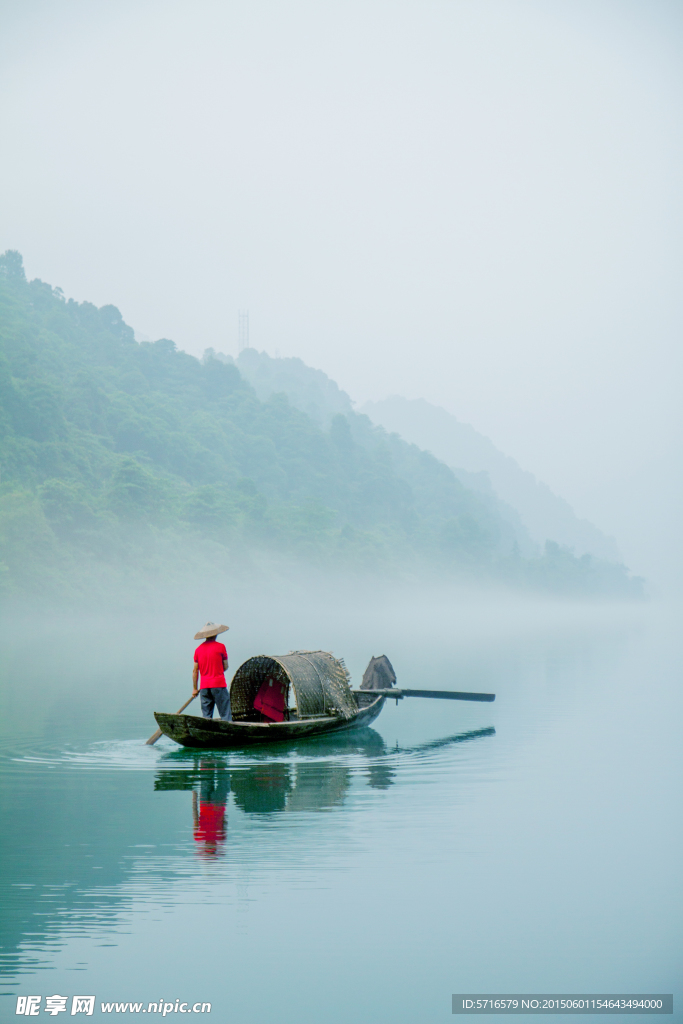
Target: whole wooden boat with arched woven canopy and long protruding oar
point(262, 695)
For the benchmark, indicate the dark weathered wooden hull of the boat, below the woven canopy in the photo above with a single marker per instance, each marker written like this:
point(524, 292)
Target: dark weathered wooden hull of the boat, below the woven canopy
point(209, 734)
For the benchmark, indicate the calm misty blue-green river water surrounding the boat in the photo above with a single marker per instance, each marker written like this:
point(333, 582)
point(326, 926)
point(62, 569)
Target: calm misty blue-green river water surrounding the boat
point(533, 845)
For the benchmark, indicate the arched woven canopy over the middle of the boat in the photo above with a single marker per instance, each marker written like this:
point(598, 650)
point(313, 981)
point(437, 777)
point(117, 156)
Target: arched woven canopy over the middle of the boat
point(321, 685)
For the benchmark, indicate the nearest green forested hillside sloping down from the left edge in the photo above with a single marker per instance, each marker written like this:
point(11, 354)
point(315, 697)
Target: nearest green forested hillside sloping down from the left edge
point(135, 461)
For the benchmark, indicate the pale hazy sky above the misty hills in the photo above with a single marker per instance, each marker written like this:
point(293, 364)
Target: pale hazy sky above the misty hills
point(476, 202)
